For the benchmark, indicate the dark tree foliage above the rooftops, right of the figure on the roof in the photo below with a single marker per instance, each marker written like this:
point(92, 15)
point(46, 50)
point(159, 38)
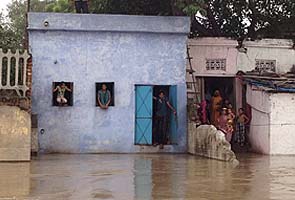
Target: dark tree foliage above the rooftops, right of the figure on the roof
point(228, 18)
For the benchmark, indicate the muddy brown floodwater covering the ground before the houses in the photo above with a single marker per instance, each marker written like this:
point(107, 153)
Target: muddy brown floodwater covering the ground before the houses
point(123, 176)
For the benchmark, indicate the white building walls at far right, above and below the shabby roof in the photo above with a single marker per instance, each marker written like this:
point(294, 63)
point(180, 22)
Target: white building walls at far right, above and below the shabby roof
point(272, 127)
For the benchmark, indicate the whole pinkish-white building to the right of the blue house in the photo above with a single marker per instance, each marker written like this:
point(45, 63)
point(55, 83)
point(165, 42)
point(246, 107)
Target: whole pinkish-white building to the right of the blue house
point(216, 62)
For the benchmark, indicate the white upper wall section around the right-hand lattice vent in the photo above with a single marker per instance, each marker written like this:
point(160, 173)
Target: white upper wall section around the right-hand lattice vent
point(269, 49)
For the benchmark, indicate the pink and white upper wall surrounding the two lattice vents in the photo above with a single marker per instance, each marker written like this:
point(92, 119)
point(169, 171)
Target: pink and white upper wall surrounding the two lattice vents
point(212, 48)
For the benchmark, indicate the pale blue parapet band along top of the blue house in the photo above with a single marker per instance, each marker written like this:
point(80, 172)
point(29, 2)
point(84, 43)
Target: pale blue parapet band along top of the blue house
point(108, 23)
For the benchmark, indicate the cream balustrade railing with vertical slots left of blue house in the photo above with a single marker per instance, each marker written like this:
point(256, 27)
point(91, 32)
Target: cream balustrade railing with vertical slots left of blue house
point(13, 71)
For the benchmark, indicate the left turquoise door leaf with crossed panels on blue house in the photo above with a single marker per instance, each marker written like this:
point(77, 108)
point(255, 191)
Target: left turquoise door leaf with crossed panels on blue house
point(143, 114)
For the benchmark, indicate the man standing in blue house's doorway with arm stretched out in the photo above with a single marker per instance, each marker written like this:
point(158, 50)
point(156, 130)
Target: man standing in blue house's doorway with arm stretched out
point(162, 105)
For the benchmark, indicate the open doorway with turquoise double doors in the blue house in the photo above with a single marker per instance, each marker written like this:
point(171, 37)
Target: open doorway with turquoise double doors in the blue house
point(146, 120)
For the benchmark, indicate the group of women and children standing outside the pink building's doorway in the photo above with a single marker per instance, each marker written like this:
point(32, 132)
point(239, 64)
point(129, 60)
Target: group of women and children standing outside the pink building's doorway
point(219, 112)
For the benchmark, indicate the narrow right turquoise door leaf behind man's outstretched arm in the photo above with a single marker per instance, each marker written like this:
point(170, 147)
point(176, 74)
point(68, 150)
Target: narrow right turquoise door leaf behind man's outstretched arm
point(173, 119)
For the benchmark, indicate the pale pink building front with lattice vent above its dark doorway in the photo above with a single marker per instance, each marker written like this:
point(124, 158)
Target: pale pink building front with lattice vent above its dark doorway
point(214, 61)
